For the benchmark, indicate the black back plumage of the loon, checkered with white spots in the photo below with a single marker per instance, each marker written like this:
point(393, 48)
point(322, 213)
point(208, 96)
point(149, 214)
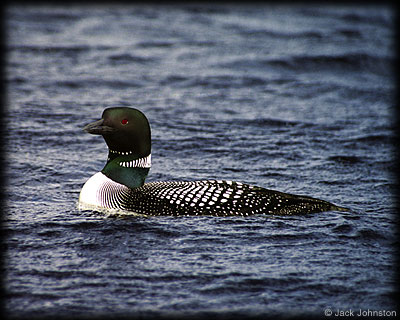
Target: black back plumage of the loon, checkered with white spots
point(218, 198)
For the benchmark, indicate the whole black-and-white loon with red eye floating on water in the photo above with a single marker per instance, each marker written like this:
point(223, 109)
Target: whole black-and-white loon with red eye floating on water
point(121, 184)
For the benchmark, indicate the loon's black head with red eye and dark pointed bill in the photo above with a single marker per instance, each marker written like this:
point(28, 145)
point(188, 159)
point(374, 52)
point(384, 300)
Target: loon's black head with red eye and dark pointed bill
point(124, 130)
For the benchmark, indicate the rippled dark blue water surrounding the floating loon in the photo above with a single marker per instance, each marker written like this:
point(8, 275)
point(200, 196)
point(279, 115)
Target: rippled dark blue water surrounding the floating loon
point(294, 98)
